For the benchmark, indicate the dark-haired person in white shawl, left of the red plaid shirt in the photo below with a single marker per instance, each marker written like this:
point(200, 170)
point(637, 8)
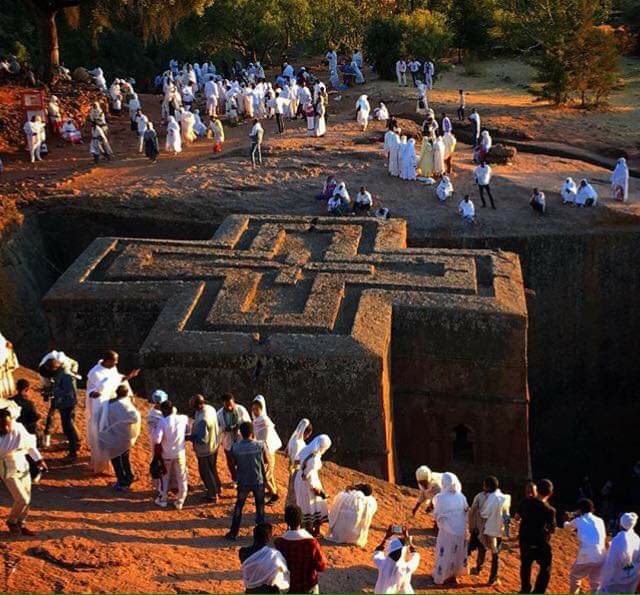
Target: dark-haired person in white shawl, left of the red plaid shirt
point(264, 568)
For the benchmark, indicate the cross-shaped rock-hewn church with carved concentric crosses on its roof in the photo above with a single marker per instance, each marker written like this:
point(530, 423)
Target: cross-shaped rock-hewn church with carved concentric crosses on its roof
point(404, 356)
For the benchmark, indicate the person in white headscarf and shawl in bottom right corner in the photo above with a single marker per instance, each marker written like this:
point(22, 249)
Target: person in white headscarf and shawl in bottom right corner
point(621, 569)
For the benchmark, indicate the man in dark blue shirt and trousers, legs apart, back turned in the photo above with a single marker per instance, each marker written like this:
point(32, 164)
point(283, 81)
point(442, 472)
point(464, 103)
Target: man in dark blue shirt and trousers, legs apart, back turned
point(251, 459)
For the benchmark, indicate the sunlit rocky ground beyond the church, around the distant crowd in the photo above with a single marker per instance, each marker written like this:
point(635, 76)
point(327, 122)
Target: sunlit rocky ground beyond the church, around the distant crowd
point(194, 184)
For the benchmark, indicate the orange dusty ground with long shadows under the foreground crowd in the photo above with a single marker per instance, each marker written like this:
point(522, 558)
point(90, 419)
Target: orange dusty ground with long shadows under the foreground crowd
point(95, 540)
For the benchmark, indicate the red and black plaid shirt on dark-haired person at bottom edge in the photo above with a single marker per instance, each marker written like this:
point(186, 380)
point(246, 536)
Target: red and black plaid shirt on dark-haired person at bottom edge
point(304, 559)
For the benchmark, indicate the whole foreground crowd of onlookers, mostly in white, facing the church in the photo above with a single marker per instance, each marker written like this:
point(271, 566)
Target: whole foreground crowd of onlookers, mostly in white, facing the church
point(293, 560)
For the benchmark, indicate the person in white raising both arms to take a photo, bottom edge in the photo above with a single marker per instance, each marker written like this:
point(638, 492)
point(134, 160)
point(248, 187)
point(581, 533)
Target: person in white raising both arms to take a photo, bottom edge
point(396, 563)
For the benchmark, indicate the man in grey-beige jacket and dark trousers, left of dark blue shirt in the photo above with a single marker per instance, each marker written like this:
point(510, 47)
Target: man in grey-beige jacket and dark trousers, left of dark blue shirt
point(205, 437)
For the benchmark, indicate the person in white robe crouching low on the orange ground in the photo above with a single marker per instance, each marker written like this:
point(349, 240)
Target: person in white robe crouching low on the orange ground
point(350, 515)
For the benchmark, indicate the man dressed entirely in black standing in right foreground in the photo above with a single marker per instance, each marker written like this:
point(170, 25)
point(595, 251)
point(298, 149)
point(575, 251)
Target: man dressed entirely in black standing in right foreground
point(537, 524)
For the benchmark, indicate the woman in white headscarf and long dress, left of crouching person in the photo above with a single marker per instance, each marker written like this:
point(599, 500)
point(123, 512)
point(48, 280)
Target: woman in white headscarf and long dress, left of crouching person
point(310, 495)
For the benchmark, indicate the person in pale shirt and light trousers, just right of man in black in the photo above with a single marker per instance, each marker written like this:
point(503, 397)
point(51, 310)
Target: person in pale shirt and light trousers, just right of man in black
point(592, 535)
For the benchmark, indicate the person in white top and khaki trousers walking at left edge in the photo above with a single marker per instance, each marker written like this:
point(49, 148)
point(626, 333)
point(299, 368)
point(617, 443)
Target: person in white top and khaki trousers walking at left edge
point(15, 444)
